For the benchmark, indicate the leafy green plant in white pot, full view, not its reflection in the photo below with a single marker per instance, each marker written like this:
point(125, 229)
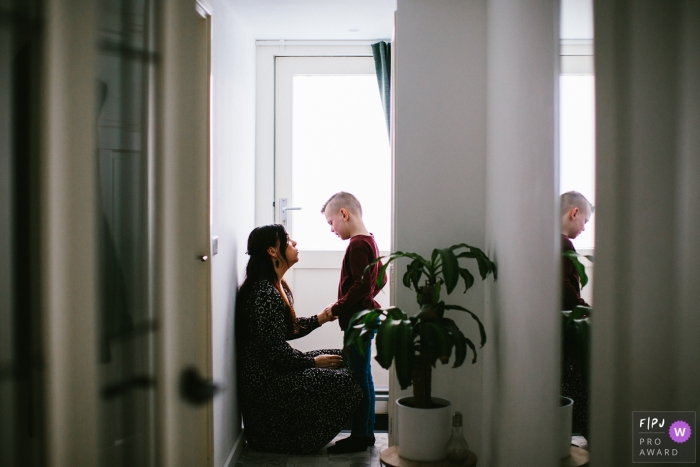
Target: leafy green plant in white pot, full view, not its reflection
point(415, 343)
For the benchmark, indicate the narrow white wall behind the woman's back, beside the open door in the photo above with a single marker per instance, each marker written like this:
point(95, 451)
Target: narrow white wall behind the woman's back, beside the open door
point(233, 69)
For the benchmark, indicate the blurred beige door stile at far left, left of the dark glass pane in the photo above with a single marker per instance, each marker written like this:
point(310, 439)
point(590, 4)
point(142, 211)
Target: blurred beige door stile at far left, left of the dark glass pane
point(68, 233)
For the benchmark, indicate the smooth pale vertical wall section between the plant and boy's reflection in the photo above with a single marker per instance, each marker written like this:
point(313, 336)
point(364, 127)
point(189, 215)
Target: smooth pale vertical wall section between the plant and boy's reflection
point(522, 366)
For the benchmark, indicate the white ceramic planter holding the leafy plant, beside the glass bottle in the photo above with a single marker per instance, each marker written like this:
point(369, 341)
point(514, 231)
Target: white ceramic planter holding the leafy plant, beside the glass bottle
point(423, 433)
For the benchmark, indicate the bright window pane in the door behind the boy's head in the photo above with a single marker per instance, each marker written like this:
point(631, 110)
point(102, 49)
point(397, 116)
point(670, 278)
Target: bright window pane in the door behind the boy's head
point(339, 143)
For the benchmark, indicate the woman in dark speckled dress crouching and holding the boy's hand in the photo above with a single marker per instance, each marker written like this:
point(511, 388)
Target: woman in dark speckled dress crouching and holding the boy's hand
point(292, 402)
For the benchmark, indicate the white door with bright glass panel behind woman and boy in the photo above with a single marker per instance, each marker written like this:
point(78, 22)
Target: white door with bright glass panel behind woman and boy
point(330, 136)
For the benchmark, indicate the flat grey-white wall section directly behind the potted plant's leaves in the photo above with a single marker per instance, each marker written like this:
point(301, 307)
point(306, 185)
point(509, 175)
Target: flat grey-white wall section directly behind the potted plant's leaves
point(440, 163)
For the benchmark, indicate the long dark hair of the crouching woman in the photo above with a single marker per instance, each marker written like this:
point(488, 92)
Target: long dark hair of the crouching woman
point(260, 268)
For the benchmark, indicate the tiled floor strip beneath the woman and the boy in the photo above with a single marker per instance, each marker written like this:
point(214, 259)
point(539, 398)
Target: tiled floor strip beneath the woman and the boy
point(369, 458)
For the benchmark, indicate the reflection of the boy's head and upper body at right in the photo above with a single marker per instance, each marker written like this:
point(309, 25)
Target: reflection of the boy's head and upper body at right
point(576, 210)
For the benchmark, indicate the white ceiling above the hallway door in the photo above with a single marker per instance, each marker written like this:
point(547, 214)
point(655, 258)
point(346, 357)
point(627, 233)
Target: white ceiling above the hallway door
point(317, 19)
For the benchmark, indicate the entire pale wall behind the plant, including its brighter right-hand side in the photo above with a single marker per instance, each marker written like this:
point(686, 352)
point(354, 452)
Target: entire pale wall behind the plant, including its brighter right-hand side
point(459, 180)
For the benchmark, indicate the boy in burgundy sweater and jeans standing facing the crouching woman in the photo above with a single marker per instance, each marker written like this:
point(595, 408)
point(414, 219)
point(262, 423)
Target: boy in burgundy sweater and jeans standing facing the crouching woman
point(355, 293)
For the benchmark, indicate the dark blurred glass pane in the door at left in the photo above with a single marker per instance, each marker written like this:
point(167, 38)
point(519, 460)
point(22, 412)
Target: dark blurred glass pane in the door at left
point(125, 153)
